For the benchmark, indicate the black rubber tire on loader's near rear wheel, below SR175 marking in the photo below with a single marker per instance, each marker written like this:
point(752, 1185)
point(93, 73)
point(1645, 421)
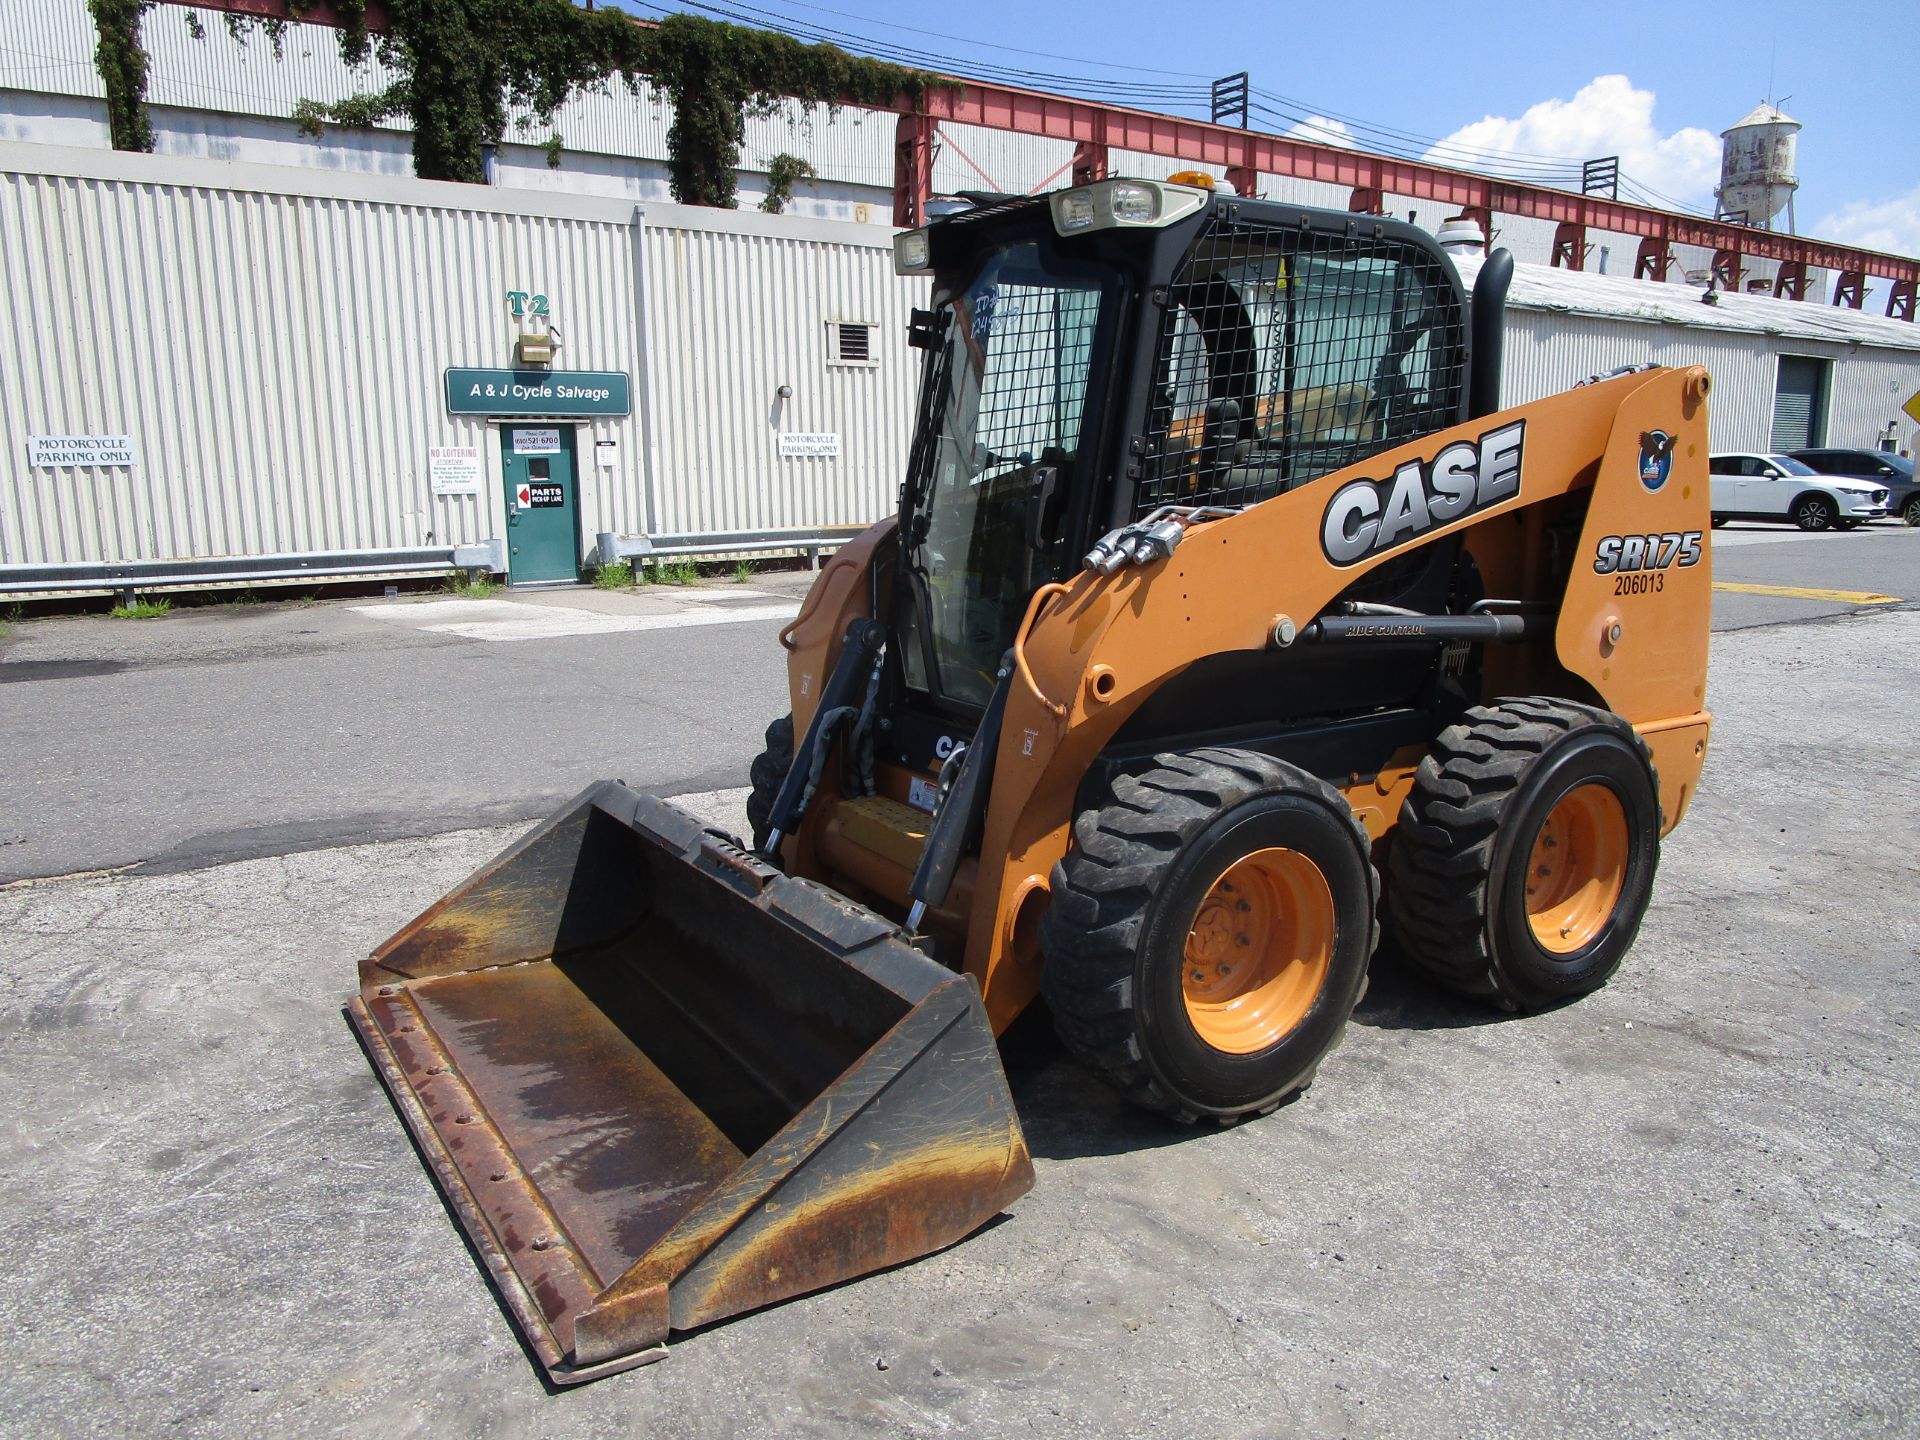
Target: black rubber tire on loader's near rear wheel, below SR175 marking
point(1456, 878)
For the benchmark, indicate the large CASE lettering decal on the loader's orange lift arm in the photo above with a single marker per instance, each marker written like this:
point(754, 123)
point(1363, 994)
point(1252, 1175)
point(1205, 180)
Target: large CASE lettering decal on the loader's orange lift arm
point(1372, 517)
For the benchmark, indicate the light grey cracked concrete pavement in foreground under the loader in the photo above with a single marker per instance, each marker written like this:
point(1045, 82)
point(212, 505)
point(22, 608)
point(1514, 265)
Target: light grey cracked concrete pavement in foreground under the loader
point(1687, 1205)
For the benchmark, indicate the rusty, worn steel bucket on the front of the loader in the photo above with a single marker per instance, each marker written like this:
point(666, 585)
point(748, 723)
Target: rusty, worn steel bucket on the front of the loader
point(663, 1084)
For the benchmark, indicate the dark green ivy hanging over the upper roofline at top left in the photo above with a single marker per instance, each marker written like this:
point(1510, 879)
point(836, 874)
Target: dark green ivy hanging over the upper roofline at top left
point(464, 66)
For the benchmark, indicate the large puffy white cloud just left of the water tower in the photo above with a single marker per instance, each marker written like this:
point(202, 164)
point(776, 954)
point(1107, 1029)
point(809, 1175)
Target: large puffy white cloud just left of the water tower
point(1606, 118)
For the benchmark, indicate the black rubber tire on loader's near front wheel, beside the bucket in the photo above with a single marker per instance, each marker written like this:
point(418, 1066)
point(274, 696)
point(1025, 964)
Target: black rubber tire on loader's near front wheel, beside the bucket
point(1124, 901)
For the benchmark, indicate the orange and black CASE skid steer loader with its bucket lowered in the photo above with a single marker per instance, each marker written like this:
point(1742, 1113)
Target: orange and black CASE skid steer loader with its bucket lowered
point(1220, 588)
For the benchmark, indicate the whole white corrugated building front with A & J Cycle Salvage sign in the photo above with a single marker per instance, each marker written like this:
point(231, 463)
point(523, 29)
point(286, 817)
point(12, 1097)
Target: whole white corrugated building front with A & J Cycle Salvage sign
point(276, 343)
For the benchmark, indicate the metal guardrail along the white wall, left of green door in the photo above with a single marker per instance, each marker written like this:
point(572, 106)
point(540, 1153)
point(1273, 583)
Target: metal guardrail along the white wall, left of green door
point(132, 577)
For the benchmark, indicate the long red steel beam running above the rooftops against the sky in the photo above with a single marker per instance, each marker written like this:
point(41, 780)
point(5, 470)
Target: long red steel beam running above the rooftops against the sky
point(1201, 143)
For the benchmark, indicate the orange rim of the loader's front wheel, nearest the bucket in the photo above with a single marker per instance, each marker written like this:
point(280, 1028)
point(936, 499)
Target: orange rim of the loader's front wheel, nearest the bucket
point(1259, 951)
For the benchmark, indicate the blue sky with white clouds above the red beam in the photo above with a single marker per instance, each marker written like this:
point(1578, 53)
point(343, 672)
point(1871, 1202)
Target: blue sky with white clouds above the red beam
point(1652, 82)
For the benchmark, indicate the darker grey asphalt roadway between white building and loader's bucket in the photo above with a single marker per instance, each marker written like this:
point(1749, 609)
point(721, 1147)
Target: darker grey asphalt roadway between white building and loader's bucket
point(228, 732)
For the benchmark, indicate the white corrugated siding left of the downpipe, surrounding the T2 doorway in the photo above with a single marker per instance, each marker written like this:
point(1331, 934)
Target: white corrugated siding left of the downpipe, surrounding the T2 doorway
point(277, 358)
